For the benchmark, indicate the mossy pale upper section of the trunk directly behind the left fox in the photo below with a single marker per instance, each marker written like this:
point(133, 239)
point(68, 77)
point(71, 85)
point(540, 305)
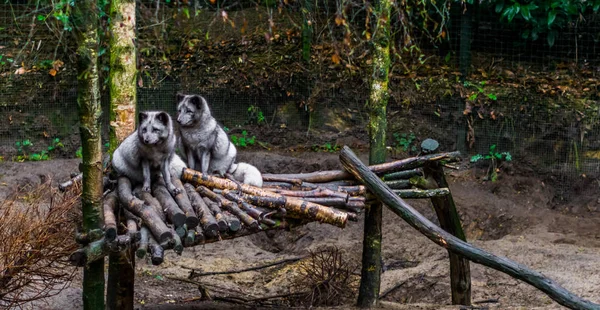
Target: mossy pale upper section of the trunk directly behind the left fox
point(123, 71)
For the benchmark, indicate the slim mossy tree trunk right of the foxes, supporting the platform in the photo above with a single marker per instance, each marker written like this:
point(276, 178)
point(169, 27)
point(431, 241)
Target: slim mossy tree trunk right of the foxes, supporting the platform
point(378, 98)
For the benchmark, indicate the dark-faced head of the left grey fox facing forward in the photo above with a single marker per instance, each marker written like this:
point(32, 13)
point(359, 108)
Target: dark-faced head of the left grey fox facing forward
point(154, 127)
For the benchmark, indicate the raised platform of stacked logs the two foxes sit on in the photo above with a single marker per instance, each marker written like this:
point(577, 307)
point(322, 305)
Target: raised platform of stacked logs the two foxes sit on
point(208, 208)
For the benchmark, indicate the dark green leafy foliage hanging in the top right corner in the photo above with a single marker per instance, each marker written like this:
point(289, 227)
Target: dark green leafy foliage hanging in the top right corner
point(542, 17)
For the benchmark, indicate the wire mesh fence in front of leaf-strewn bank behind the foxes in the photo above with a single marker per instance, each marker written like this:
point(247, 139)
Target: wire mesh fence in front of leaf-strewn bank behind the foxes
point(537, 102)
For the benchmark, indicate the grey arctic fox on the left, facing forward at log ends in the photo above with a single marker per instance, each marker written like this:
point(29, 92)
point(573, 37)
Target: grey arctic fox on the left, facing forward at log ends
point(149, 152)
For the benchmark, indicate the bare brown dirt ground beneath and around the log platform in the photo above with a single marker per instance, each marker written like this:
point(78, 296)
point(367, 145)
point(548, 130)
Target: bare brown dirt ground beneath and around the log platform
point(514, 217)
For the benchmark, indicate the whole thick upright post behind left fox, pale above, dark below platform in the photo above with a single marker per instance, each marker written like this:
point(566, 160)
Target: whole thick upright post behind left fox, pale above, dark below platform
point(123, 100)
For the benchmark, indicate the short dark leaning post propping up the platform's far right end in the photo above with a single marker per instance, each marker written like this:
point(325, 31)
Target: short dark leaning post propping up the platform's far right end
point(445, 208)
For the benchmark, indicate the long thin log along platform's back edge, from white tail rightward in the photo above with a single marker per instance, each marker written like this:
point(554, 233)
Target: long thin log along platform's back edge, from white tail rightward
point(385, 168)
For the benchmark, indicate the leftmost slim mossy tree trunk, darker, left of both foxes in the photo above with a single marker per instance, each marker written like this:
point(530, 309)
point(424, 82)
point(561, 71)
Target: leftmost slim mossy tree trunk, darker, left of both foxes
point(85, 21)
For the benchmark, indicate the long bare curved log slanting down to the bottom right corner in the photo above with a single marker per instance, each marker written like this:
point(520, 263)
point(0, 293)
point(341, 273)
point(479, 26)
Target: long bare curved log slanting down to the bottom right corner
point(448, 241)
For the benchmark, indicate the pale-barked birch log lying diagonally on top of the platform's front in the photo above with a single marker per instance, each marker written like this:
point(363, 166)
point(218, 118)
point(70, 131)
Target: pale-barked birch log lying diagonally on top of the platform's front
point(309, 210)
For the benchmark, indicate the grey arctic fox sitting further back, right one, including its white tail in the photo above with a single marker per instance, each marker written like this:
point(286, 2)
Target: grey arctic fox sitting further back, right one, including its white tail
point(206, 145)
